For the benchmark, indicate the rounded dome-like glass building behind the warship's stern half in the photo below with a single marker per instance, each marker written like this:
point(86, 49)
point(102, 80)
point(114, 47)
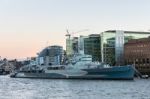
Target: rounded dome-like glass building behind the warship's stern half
point(52, 55)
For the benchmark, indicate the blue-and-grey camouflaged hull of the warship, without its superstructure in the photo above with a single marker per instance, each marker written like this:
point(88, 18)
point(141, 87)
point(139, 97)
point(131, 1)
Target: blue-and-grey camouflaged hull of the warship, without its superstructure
point(115, 72)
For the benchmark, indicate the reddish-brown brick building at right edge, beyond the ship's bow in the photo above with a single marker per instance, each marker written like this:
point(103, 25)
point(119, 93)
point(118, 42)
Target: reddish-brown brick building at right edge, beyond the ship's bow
point(137, 52)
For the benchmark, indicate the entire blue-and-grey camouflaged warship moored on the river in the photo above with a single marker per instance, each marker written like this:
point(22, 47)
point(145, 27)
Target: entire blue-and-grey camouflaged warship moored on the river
point(81, 67)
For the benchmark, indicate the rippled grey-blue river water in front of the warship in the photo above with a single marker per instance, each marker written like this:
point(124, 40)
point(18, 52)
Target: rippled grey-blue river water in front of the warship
point(21, 88)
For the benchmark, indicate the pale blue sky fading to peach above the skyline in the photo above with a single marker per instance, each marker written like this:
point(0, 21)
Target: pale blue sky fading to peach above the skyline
point(27, 26)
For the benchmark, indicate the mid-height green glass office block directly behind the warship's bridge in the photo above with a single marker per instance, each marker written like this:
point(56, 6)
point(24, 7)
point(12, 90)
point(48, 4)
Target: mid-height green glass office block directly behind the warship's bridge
point(89, 45)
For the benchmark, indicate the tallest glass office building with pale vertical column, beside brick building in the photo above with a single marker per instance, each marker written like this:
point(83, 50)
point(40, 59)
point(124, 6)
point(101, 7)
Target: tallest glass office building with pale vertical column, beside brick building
point(112, 44)
